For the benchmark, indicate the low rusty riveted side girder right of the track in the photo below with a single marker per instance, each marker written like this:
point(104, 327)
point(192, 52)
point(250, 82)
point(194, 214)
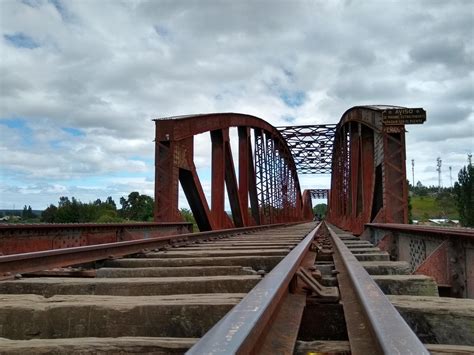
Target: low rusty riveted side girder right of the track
point(446, 254)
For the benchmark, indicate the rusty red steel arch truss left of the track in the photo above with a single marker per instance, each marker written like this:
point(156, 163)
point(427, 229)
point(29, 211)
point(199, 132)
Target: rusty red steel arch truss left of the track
point(267, 180)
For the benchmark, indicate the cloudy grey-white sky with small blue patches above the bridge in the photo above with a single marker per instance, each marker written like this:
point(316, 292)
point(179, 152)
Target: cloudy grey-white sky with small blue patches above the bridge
point(81, 81)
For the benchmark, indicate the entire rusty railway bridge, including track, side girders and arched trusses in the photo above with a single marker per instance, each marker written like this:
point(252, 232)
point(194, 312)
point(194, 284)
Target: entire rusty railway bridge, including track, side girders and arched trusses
point(260, 276)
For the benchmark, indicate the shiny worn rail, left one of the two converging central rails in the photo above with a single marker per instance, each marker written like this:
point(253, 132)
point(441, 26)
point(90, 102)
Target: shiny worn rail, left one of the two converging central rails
point(241, 329)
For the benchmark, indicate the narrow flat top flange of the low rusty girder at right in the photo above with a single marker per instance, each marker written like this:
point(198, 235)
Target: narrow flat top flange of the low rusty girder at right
point(414, 229)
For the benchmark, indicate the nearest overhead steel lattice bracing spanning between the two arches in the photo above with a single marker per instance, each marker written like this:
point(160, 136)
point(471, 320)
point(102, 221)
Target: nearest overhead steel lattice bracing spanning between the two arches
point(311, 147)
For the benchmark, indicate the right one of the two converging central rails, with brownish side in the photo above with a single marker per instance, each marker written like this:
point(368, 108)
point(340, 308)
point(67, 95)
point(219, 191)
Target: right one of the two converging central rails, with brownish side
point(373, 324)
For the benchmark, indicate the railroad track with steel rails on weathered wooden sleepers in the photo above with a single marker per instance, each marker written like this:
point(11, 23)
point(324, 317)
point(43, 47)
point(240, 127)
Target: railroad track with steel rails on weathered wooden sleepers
point(295, 288)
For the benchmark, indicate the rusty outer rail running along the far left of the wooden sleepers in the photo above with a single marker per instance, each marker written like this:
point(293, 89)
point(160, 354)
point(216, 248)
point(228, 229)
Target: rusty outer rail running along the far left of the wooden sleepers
point(44, 260)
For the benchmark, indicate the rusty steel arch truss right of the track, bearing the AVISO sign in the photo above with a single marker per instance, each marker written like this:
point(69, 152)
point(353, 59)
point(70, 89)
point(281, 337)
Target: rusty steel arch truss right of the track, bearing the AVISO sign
point(368, 181)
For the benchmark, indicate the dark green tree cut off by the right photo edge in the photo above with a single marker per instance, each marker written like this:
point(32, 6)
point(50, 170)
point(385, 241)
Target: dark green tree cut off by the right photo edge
point(465, 195)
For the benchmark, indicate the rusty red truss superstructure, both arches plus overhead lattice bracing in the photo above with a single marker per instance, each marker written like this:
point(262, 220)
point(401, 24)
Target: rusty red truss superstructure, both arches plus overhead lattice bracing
point(364, 152)
